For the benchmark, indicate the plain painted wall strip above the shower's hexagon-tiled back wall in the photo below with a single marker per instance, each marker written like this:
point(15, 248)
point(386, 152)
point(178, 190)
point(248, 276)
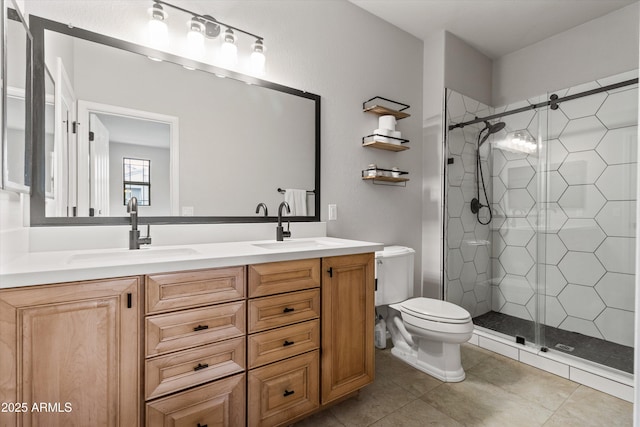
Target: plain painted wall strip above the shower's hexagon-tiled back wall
point(602, 47)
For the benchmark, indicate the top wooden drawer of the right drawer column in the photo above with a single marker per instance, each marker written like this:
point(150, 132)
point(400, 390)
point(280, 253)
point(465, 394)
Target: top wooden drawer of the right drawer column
point(278, 277)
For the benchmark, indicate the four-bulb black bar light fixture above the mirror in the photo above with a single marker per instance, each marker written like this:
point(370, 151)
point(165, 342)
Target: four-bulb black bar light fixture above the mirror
point(203, 27)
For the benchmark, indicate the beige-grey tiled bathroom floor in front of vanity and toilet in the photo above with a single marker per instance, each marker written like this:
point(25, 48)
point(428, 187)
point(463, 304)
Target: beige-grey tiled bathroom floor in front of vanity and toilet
point(498, 391)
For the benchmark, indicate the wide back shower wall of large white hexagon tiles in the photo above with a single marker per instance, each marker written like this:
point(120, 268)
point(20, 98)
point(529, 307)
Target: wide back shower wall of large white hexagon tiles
point(590, 208)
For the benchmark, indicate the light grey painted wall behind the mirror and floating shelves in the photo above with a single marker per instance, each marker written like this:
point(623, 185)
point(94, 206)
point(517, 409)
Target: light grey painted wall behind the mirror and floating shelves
point(331, 48)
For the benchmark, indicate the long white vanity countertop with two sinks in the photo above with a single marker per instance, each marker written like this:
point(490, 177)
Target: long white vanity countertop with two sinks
point(37, 268)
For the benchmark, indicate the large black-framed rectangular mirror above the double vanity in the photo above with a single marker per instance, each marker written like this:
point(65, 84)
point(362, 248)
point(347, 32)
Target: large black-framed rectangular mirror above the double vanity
point(194, 143)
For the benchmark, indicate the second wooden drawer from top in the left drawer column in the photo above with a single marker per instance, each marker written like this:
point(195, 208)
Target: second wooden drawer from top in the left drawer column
point(190, 328)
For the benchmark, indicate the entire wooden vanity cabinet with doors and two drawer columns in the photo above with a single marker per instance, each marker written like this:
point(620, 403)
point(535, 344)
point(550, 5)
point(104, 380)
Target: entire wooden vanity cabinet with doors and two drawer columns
point(263, 345)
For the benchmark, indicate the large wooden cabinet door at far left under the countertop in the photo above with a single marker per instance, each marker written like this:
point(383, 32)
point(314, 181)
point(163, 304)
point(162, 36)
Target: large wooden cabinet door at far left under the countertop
point(73, 351)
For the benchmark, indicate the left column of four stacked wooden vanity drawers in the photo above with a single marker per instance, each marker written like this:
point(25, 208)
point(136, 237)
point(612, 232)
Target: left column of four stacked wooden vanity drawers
point(195, 348)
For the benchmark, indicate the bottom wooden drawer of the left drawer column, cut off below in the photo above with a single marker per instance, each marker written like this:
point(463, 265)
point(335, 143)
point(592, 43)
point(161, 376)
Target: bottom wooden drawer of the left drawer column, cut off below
point(220, 403)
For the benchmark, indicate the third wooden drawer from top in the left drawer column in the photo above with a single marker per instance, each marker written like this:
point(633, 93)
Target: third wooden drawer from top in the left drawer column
point(176, 371)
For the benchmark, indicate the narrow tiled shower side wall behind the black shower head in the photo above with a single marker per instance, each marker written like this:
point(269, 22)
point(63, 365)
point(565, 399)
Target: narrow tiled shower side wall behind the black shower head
point(468, 259)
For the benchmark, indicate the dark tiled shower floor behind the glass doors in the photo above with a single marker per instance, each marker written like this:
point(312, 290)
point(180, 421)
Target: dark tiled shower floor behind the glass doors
point(593, 349)
